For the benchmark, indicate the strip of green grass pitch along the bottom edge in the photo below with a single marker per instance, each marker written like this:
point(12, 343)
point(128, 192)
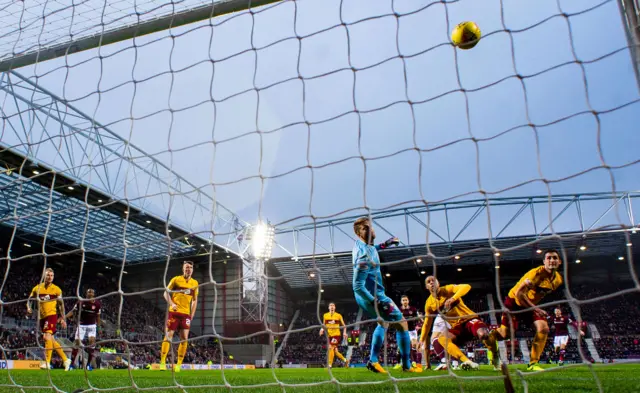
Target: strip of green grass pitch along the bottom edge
point(581, 378)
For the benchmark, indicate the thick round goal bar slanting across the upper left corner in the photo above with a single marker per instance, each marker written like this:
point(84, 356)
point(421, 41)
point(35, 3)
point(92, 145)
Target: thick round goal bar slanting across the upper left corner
point(118, 34)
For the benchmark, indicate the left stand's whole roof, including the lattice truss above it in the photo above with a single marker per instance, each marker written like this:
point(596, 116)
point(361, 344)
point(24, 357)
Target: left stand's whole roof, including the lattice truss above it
point(67, 178)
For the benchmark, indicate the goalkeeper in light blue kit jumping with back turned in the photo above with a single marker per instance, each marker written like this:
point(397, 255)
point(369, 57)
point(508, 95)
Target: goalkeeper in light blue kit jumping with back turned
point(370, 296)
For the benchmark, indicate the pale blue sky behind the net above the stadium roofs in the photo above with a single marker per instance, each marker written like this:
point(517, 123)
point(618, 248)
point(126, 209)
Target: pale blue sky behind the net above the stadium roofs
point(266, 114)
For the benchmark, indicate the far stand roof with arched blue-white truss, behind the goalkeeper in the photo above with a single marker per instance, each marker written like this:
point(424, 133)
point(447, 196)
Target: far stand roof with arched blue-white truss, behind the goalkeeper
point(601, 231)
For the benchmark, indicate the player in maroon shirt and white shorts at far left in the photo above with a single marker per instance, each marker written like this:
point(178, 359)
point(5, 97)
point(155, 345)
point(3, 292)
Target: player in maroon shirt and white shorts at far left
point(87, 315)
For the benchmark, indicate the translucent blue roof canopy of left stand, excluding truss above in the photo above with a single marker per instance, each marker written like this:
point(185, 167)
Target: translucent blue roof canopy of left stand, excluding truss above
point(53, 206)
